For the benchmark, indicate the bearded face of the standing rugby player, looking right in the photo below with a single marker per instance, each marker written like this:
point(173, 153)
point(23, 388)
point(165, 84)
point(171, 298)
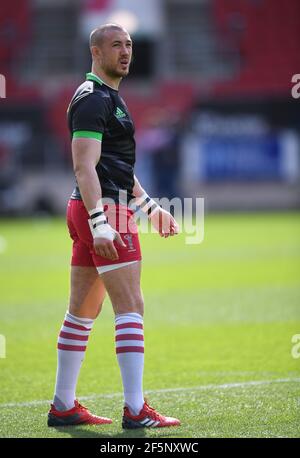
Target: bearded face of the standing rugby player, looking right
point(116, 53)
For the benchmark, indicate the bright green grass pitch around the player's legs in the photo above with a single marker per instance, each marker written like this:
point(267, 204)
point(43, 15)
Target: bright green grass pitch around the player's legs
point(219, 316)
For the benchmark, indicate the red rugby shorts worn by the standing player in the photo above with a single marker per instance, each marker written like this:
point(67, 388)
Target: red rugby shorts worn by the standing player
point(119, 217)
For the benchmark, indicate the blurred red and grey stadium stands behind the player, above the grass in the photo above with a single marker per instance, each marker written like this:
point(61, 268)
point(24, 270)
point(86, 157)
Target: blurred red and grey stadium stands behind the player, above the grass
point(209, 90)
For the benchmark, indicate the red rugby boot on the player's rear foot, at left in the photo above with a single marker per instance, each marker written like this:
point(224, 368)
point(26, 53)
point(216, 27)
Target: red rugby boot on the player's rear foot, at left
point(78, 415)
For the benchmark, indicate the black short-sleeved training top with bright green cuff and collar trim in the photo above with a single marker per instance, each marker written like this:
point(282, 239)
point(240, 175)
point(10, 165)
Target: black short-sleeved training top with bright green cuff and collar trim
point(97, 111)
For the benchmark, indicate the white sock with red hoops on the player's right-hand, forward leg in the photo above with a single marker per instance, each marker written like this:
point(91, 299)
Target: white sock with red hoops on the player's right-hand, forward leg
point(130, 354)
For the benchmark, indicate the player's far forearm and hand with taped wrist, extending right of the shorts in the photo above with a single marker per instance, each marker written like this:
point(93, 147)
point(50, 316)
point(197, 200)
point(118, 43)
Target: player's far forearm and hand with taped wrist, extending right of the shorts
point(160, 219)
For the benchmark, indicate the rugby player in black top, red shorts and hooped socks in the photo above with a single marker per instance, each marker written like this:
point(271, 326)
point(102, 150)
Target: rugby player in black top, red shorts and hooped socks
point(106, 257)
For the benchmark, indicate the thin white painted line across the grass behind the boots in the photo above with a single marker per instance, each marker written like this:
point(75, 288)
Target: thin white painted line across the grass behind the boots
point(166, 390)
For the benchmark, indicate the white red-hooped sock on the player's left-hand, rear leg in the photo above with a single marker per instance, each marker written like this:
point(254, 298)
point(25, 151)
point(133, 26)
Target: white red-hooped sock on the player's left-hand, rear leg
point(72, 342)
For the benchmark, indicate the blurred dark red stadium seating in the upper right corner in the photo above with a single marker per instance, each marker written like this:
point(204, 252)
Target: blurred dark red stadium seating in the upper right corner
point(265, 33)
